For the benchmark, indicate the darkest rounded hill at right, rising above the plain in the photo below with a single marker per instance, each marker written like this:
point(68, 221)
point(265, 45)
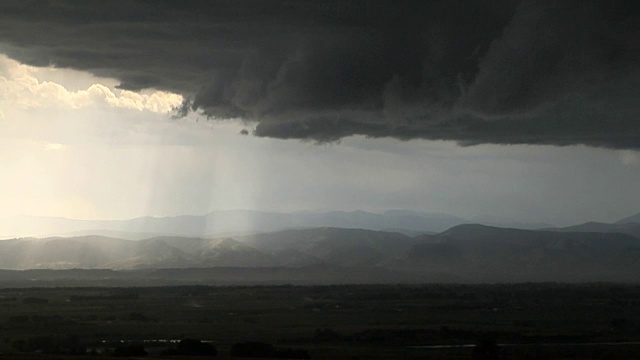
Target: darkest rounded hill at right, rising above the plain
point(483, 253)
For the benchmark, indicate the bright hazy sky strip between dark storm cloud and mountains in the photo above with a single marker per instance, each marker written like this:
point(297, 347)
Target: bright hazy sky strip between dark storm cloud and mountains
point(73, 145)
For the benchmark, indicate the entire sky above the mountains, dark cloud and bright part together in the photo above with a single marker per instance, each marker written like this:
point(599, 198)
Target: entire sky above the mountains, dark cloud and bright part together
point(520, 109)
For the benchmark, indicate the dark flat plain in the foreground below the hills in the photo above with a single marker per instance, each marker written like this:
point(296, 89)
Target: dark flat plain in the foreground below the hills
point(526, 321)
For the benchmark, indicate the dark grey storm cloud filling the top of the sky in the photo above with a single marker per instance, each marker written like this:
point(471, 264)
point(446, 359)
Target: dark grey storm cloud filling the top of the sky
point(537, 72)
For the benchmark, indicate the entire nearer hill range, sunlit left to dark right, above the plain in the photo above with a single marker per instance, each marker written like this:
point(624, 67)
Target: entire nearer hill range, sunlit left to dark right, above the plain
point(462, 253)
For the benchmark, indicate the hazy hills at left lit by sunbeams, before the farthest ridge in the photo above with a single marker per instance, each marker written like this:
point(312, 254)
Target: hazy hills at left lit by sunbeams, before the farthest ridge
point(289, 248)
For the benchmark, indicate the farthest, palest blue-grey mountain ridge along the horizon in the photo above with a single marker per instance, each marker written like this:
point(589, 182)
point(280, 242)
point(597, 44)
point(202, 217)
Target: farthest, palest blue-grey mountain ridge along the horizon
point(219, 223)
